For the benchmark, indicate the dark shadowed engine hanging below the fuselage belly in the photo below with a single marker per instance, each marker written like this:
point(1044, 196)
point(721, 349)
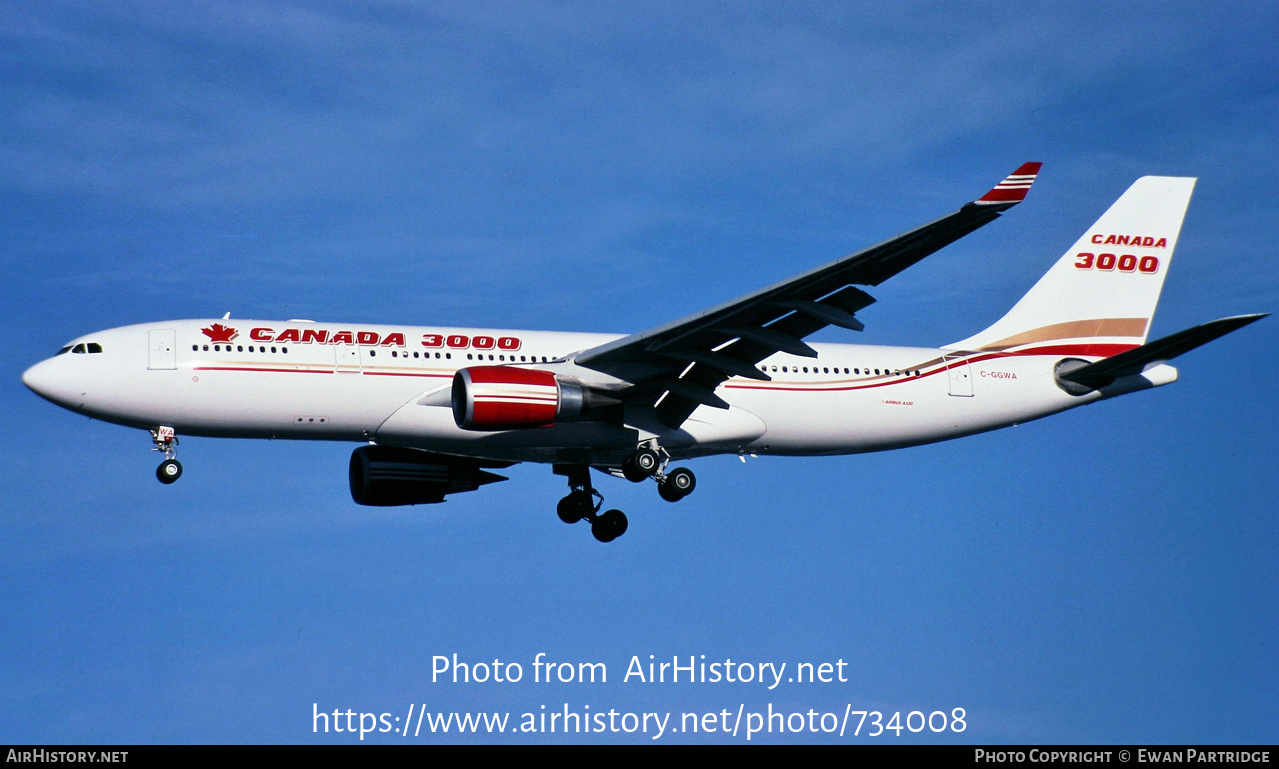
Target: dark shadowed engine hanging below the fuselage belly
point(386, 477)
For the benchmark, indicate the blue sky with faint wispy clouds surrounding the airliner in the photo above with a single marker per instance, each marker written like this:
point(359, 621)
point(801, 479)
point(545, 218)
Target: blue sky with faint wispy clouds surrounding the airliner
point(1103, 576)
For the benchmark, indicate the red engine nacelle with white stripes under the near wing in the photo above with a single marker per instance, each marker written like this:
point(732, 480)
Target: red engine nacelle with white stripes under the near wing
point(510, 399)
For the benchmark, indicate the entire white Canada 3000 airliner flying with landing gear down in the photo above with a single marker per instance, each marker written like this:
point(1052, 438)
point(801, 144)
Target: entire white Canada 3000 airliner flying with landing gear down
point(441, 409)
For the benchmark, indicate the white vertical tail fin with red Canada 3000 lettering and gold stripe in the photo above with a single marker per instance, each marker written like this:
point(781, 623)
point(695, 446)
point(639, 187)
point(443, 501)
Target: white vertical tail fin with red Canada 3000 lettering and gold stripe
point(1101, 297)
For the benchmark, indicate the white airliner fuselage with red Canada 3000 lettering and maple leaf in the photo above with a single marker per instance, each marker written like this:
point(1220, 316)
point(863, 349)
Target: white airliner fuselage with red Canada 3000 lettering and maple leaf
point(392, 386)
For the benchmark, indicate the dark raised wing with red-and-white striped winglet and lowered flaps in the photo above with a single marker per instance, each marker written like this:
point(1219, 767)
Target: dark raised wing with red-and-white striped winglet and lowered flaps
point(677, 367)
